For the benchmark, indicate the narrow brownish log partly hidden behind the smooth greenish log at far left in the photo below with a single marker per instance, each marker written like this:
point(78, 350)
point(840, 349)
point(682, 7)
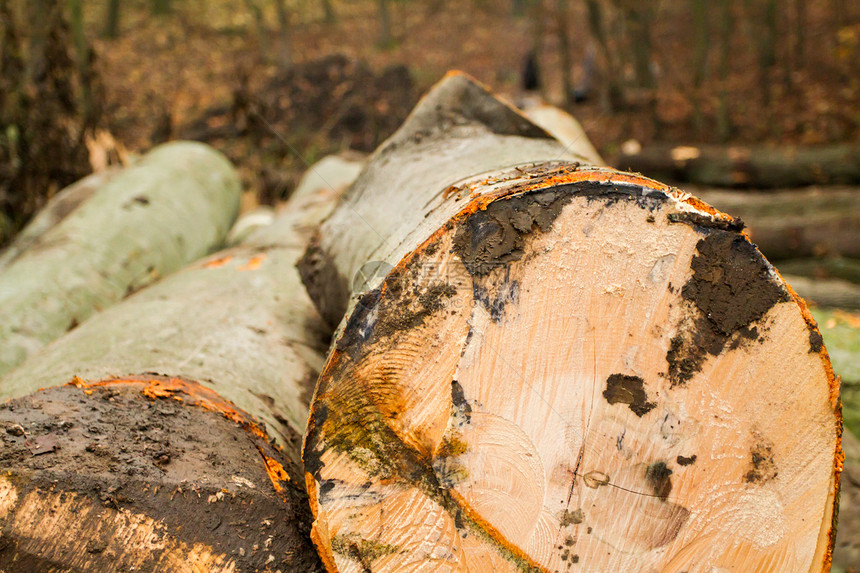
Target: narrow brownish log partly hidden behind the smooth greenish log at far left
point(59, 206)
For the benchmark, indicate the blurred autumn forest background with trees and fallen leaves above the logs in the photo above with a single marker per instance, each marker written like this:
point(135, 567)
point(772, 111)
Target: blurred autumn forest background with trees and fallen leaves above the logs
point(277, 83)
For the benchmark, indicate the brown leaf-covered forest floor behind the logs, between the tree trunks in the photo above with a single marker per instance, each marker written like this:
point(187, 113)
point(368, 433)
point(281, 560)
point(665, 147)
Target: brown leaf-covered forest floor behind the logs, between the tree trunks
point(205, 71)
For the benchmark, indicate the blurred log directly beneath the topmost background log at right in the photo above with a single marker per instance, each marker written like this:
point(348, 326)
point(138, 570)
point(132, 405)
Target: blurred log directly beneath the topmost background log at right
point(813, 222)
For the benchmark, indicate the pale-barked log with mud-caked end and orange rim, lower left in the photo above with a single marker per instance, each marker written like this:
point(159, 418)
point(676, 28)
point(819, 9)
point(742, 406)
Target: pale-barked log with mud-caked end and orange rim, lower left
point(168, 438)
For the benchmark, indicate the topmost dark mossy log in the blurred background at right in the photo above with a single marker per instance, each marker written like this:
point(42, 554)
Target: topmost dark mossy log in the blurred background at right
point(752, 167)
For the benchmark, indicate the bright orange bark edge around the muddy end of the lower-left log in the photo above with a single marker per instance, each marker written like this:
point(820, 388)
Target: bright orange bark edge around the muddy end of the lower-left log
point(192, 393)
